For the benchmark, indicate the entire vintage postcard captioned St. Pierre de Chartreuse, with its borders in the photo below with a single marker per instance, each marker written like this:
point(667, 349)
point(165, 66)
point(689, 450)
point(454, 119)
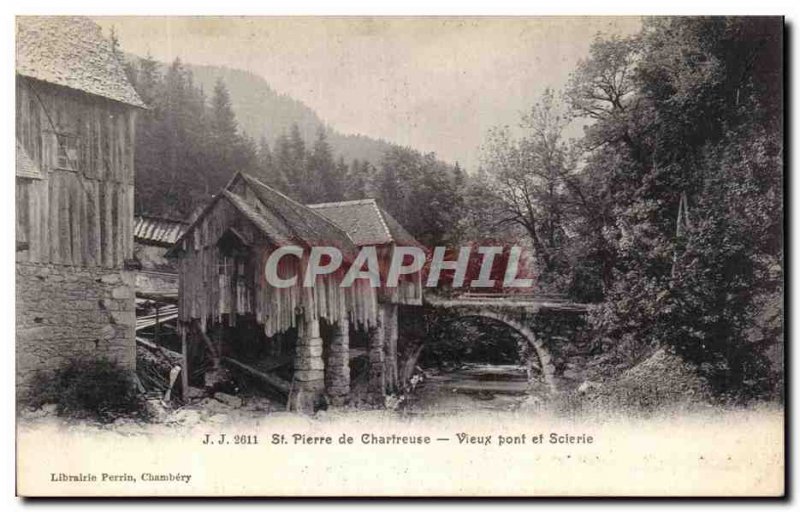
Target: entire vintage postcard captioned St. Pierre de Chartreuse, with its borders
point(400, 256)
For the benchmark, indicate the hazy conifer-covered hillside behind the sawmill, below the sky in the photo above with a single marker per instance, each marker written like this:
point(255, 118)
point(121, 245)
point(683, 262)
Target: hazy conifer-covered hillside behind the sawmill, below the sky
point(191, 142)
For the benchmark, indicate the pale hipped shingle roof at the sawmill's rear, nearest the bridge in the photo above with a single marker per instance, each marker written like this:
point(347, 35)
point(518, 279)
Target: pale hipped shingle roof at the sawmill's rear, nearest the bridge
point(366, 222)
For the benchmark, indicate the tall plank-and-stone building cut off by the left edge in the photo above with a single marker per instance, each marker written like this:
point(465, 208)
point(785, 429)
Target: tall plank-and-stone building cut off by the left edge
point(75, 123)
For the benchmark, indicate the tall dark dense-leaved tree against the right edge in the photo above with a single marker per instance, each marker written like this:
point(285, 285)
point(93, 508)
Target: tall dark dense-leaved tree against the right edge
point(695, 179)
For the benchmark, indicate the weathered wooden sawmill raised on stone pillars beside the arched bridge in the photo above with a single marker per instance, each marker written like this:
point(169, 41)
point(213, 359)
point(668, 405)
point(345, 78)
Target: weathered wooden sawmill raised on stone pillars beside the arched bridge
point(297, 337)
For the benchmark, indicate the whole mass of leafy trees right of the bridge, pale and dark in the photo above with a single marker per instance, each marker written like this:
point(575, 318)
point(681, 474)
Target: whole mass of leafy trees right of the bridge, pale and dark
point(668, 211)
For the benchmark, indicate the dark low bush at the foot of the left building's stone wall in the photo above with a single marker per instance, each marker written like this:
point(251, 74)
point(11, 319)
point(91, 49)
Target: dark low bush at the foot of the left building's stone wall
point(89, 389)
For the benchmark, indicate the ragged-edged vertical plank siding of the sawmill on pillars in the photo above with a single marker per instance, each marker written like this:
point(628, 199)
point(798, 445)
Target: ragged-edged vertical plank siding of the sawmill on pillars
point(205, 295)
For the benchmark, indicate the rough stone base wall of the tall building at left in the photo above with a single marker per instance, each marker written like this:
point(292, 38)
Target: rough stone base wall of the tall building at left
point(66, 312)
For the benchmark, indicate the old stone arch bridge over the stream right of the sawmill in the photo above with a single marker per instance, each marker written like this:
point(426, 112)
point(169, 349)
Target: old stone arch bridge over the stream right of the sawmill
point(553, 328)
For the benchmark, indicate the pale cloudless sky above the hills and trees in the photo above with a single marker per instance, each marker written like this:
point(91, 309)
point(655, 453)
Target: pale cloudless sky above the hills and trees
point(435, 84)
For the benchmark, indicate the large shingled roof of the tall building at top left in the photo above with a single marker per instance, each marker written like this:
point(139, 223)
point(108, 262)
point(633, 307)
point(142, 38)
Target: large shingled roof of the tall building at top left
point(72, 52)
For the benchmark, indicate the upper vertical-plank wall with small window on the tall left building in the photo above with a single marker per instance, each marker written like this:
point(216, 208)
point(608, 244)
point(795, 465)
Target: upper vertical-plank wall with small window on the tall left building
point(82, 216)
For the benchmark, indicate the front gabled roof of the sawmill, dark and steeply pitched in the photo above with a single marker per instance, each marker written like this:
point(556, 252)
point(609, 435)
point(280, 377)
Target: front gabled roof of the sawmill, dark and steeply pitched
point(281, 219)
